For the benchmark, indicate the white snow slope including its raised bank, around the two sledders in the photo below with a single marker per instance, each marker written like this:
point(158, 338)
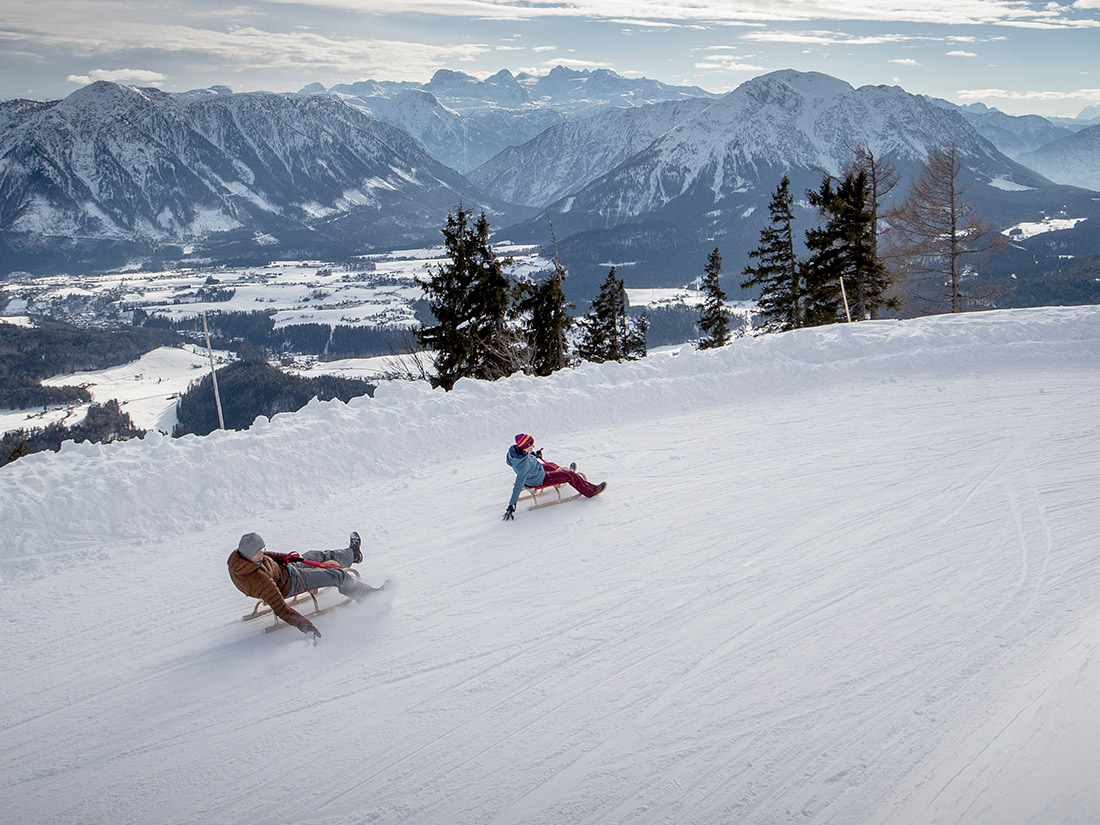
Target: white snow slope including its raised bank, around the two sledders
point(841, 576)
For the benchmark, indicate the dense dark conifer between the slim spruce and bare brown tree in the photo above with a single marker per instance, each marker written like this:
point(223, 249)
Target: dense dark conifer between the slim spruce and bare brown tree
point(843, 265)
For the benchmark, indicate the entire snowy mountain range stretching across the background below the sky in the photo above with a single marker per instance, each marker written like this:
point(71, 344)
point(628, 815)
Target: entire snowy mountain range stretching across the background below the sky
point(630, 171)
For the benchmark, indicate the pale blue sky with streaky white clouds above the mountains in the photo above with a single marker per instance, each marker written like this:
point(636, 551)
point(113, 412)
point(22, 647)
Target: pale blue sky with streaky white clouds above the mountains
point(1020, 57)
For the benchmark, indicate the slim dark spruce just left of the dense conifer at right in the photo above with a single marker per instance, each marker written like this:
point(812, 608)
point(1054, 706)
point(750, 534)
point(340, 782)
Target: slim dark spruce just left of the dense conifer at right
point(778, 274)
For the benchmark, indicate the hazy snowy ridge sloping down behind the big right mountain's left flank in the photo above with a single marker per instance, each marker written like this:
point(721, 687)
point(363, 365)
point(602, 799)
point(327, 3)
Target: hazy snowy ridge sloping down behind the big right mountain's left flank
point(565, 159)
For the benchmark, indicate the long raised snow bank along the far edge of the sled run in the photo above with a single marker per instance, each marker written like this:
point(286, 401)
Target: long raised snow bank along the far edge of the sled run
point(161, 485)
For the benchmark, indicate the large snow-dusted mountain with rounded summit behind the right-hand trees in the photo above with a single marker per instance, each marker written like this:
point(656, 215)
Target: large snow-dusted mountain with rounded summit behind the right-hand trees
point(708, 181)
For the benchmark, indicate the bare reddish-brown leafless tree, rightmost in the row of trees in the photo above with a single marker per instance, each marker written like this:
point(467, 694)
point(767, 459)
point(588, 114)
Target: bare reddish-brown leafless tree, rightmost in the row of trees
point(937, 237)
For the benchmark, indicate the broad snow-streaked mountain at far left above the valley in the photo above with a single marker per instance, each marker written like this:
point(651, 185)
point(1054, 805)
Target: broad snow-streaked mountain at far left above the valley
point(114, 172)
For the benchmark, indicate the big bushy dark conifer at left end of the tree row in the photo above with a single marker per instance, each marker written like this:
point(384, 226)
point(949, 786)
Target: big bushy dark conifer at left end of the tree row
point(469, 298)
